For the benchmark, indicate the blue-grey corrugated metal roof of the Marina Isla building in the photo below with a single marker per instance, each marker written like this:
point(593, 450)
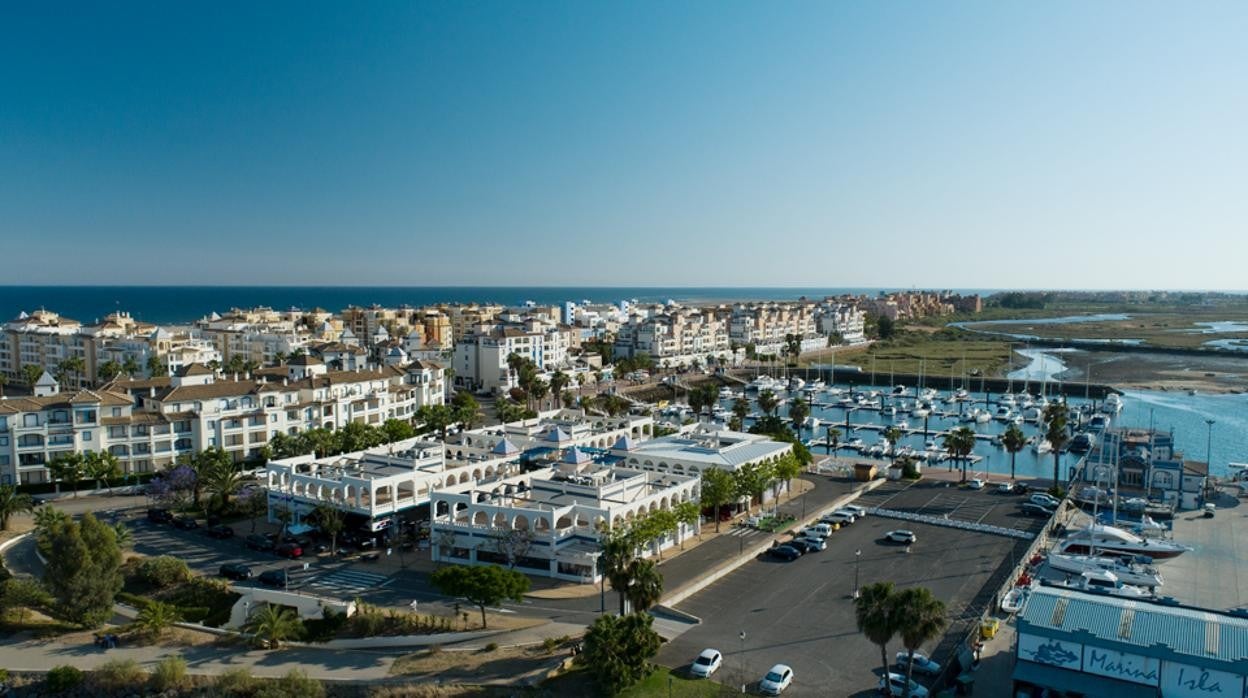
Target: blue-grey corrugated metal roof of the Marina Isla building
point(1186, 631)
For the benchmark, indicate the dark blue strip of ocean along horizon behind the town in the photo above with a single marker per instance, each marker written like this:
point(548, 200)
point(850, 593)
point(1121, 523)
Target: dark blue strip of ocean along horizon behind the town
point(187, 304)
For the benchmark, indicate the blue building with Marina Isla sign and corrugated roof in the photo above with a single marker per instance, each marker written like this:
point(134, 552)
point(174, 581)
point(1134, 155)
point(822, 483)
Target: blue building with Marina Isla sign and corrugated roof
point(1076, 644)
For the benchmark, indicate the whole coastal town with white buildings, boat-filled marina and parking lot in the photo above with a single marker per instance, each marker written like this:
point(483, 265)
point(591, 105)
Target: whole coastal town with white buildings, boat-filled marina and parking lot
point(331, 468)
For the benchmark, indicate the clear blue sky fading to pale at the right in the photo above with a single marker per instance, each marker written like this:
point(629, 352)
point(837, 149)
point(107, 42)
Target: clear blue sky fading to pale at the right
point(949, 144)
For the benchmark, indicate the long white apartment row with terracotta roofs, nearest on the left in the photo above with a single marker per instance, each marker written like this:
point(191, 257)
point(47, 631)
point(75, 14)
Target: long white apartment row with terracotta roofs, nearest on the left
point(147, 424)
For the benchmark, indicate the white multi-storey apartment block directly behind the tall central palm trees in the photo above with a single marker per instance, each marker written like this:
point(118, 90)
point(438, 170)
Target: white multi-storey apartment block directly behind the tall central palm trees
point(481, 359)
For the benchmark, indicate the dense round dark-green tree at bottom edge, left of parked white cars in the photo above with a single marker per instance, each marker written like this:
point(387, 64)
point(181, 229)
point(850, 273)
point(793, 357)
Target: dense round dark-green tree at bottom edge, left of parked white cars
point(620, 649)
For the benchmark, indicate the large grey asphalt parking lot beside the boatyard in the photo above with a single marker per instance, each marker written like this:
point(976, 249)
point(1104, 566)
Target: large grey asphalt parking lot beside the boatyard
point(802, 614)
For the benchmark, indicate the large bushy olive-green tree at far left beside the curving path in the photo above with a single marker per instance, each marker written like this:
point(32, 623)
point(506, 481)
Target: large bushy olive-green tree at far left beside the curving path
point(84, 569)
